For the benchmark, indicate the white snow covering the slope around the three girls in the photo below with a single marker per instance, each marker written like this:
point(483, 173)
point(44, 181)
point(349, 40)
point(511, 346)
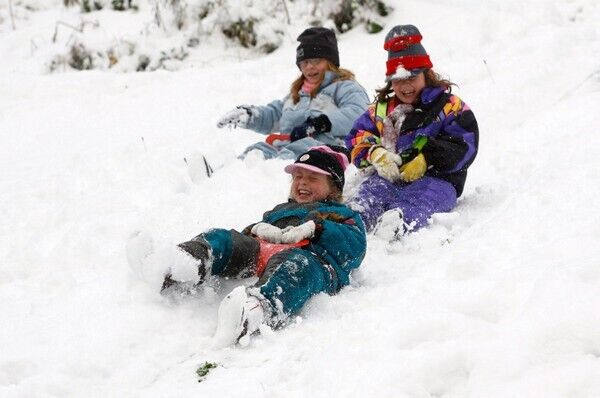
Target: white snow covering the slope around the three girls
point(497, 299)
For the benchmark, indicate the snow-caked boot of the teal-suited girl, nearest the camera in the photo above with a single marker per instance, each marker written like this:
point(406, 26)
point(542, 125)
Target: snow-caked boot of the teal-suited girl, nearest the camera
point(240, 315)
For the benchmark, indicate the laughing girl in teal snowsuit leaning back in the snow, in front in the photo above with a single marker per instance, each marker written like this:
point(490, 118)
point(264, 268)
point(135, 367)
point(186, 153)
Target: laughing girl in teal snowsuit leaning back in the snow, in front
point(303, 247)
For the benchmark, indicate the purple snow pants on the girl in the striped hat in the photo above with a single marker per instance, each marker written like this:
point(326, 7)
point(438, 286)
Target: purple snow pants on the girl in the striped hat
point(417, 200)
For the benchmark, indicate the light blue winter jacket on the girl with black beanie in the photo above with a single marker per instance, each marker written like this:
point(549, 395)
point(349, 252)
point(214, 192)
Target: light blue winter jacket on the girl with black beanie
point(342, 101)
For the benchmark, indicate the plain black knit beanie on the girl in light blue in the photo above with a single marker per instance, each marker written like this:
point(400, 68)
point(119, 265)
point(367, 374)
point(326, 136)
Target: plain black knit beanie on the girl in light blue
point(318, 43)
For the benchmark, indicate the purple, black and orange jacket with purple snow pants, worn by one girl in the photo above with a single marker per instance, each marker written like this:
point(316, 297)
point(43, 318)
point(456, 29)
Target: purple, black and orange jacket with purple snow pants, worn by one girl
point(452, 142)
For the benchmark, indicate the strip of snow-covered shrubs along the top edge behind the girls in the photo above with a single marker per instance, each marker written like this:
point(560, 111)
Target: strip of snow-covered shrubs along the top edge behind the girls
point(168, 30)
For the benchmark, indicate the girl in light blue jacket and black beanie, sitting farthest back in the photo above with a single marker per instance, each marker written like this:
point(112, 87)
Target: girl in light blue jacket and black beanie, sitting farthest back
point(322, 104)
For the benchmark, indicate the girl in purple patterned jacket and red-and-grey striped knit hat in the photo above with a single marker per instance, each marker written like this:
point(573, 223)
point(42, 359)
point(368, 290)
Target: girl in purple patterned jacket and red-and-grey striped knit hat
point(418, 140)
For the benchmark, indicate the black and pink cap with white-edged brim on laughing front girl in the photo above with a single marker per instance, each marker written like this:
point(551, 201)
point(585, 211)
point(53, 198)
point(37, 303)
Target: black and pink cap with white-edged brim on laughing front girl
point(330, 160)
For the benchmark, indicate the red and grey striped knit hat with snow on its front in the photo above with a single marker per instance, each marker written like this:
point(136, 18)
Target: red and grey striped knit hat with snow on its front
point(406, 55)
